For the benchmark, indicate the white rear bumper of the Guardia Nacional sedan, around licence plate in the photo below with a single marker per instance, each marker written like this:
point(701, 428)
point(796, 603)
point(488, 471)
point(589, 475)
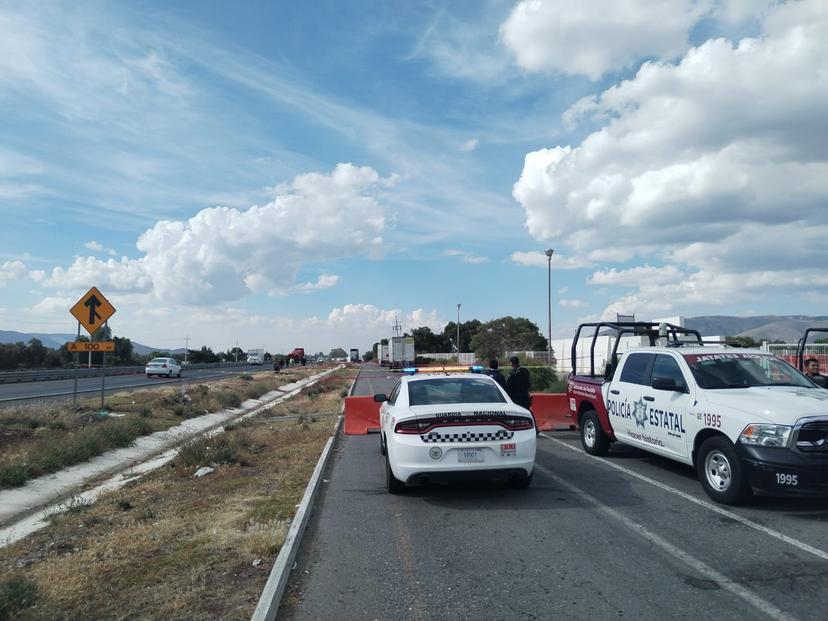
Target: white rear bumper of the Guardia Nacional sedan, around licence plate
point(415, 461)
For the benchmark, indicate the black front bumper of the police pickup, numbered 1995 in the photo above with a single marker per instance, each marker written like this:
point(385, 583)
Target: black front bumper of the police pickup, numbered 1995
point(781, 471)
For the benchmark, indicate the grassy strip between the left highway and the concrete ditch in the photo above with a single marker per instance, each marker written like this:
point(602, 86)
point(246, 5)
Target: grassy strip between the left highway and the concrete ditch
point(39, 439)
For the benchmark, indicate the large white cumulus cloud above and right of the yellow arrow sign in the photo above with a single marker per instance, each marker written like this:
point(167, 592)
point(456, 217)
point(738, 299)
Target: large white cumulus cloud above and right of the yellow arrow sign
point(223, 254)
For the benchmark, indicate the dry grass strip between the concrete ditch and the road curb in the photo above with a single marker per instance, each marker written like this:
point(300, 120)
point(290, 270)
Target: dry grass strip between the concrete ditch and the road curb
point(171, 546)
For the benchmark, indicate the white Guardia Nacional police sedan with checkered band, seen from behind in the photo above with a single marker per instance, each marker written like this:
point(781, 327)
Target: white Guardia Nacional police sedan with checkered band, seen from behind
point(454, 426)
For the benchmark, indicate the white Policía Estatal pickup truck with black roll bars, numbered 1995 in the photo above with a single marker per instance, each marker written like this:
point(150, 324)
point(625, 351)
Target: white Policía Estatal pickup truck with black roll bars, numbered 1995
point(746, 420)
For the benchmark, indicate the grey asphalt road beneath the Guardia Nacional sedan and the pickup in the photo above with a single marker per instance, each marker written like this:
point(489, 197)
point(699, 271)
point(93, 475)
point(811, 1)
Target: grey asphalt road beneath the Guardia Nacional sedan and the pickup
point(630, 535)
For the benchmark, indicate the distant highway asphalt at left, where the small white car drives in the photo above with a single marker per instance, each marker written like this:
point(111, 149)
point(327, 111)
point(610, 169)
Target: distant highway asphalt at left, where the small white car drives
point(62, 389)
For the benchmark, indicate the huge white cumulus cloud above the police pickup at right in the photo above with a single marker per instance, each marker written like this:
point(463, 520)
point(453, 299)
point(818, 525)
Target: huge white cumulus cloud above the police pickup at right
point(717, 162)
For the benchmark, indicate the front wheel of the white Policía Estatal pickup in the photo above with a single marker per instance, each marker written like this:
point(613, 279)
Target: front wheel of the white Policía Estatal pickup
point(721, 472)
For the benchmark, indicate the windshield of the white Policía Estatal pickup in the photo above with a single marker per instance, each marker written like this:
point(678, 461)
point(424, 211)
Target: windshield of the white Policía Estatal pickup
point(743, 370)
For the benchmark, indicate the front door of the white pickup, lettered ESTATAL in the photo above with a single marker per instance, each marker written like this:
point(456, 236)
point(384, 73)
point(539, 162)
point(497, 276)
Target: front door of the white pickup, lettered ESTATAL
point(667, 407)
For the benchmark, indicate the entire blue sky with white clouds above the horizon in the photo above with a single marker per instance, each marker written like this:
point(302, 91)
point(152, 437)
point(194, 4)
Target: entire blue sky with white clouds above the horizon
point(280, 174)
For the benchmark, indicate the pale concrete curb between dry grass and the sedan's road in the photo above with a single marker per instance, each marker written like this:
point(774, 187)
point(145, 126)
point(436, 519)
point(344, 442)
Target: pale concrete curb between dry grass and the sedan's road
point(274, 589)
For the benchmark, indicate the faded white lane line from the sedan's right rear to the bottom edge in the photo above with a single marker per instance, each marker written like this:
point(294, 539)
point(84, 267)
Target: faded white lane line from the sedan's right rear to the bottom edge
point(700, 567)
